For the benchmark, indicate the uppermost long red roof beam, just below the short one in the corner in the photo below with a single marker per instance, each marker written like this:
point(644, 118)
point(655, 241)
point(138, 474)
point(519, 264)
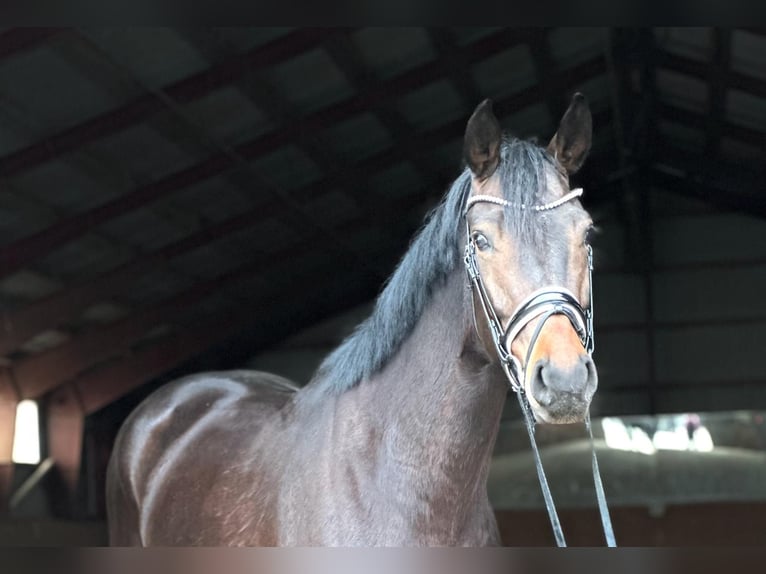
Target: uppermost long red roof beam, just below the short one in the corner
point(143, 107)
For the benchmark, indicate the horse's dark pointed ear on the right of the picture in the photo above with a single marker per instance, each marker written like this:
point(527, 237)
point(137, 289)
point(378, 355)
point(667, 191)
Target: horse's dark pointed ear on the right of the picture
point(571, 144)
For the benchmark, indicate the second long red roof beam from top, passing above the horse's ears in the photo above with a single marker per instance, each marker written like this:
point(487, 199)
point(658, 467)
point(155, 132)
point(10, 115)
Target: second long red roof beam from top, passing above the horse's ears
point(25, 250)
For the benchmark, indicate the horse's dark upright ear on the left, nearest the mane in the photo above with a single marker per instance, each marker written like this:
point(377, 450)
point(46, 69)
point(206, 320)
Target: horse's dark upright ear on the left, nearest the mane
point(481, 146)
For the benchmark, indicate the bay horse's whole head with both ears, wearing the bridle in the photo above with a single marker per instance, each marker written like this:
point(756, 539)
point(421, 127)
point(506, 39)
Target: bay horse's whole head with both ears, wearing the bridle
point(527, 235)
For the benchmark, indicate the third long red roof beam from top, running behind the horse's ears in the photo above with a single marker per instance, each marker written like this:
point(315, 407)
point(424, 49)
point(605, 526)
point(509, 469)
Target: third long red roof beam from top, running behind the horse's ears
point(64, 306)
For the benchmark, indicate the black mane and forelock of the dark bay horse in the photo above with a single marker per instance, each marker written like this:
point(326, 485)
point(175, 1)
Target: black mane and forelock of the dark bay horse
point(431, 257)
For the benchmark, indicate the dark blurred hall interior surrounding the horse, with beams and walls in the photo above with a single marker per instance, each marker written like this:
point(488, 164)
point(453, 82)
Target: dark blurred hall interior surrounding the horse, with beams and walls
point(175, 200)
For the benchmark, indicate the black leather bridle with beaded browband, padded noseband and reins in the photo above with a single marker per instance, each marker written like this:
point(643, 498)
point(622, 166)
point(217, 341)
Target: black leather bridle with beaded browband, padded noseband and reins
point(542, 304)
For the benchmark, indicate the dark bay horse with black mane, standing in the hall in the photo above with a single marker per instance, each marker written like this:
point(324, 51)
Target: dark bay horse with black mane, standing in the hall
point(390, 443)
